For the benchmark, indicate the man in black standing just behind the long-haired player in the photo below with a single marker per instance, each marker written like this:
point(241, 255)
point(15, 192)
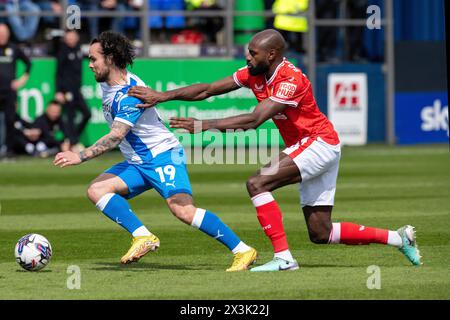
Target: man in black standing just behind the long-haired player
point(68, 86)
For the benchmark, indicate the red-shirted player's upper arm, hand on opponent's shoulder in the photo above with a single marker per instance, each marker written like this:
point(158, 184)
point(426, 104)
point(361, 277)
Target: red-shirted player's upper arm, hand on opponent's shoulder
point(194, 92)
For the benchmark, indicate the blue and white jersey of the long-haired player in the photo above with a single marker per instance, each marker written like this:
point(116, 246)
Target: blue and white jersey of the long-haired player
point(148, 136)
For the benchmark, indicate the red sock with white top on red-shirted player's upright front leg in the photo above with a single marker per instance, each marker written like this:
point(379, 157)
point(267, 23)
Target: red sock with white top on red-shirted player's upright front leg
point(269, 216)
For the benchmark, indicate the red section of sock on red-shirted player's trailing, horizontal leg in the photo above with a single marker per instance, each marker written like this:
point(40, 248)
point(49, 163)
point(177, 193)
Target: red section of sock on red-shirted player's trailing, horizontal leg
point(354, 234)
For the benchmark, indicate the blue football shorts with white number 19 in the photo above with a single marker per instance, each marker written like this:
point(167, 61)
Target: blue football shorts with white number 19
point(166, 173)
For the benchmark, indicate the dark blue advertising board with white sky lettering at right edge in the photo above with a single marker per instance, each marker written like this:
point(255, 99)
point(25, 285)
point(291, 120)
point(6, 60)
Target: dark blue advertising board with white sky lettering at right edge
point(421, 117)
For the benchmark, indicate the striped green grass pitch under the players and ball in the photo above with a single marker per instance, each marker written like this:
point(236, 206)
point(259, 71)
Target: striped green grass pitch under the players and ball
point(379, 186)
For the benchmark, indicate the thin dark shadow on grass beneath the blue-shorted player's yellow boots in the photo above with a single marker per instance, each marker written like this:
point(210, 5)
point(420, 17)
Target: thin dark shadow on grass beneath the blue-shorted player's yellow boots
point(145, 266)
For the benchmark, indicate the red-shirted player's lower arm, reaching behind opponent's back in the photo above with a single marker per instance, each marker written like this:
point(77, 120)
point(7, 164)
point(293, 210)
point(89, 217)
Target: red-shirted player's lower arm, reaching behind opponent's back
point(265, 110)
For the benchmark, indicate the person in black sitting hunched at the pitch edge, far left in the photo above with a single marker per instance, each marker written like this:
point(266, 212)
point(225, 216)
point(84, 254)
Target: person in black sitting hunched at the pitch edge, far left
point(45, 136)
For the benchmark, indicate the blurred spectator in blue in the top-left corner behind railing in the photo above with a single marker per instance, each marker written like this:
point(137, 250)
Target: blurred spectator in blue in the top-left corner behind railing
point(23, 27)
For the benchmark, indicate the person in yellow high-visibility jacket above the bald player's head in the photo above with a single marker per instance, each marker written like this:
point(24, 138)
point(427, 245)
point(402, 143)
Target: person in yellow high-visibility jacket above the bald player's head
point(291, 27)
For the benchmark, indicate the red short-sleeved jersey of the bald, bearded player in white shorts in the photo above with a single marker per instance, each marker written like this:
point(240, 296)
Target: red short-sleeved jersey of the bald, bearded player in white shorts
point(288, 85)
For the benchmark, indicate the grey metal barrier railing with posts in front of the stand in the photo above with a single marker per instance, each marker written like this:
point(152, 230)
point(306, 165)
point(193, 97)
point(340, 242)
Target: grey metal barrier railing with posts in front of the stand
point(228, 14)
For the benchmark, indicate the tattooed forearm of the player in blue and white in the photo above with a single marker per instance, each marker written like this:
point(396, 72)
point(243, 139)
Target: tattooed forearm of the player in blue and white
point(108, 142)
